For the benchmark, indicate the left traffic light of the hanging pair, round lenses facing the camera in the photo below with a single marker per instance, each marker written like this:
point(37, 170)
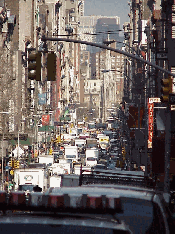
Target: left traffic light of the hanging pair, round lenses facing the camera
point(34, 66)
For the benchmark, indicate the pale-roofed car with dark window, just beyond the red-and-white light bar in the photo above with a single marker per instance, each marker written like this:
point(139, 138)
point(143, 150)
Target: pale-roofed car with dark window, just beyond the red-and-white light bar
point(143, 210)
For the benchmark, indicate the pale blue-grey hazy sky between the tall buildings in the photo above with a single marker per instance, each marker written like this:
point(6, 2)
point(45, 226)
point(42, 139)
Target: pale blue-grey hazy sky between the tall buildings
point(108, 8)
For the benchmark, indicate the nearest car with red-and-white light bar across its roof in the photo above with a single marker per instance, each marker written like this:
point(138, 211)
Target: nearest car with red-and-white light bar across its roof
point(60, 212)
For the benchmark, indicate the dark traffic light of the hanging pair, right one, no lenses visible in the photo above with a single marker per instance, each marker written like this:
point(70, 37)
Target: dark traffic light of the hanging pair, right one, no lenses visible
point(51, 66)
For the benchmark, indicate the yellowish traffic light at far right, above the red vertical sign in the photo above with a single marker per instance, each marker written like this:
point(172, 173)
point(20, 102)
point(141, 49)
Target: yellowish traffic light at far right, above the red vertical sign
point(166, 89)
